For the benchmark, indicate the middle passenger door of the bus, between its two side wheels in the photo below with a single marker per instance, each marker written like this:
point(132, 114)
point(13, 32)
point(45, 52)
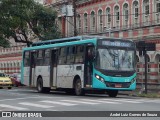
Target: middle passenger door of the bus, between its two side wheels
point(53, 68)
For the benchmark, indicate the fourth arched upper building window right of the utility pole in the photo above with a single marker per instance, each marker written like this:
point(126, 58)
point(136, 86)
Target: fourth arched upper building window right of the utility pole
point(100, 21)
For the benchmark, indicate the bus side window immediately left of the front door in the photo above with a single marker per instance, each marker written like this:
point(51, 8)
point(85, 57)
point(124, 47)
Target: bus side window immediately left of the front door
point(79, 57)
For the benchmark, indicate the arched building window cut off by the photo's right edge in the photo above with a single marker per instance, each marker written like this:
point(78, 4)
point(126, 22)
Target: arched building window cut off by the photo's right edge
point(157, 10)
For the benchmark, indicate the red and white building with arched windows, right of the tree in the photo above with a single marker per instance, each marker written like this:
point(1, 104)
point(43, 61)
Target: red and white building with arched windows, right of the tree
point(132, 19)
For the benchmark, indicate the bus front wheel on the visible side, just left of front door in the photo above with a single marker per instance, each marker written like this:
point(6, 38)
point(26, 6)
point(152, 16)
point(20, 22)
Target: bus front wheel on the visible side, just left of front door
point(78, 88)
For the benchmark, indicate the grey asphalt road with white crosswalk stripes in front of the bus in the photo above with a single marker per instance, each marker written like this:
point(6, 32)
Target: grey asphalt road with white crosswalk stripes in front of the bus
point(24, 99)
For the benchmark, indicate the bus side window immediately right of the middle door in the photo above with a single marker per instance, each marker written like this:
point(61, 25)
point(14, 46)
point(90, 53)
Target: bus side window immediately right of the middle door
point(62, 56)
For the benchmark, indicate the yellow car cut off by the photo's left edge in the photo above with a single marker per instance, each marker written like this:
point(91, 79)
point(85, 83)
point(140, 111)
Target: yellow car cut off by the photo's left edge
point(5, 81)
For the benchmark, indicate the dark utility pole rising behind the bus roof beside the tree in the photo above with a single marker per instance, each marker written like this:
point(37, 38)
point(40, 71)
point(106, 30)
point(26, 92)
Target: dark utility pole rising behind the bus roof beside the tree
point(74, 16)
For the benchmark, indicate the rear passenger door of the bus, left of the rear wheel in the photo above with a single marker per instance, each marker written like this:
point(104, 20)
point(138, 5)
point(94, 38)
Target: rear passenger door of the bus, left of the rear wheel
point(32, 70)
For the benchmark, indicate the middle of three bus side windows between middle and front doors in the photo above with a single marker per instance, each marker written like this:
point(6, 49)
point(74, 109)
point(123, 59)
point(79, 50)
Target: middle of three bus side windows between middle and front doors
point(70, 54)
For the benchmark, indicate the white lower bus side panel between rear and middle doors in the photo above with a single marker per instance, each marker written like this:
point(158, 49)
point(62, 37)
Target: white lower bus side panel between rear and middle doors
point(43, 71)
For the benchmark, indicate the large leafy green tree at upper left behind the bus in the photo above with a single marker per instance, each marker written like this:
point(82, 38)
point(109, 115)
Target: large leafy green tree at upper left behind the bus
point(25, 20)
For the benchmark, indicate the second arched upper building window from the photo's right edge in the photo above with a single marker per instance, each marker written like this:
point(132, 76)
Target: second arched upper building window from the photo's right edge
point(145, 12)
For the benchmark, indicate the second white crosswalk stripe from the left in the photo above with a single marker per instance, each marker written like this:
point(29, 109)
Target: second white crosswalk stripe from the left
point(35, 105)
